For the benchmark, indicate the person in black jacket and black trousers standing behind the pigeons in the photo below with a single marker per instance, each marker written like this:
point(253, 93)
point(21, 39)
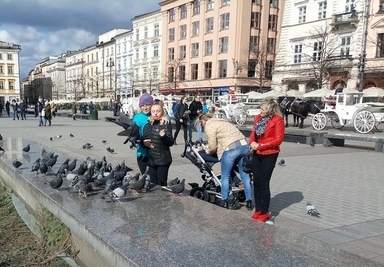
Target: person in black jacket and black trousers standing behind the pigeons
point(157, 137)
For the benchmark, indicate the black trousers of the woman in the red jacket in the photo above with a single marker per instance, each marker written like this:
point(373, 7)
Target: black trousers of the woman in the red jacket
point(262, 169)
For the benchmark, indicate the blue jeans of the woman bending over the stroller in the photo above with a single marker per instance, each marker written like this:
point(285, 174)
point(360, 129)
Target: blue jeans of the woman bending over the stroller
point(230, 159)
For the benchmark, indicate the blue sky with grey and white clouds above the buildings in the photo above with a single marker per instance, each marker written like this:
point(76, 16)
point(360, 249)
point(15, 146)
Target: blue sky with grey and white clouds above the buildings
point(46, 28)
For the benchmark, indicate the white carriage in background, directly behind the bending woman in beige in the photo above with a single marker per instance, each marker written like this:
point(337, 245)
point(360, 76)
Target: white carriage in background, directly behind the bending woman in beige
point(235, 107)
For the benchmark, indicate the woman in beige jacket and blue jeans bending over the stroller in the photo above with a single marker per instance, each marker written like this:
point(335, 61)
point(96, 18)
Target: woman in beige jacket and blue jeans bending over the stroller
point(231, 146)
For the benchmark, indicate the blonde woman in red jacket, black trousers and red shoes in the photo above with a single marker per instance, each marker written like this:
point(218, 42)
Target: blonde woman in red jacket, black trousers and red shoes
point(265, 139)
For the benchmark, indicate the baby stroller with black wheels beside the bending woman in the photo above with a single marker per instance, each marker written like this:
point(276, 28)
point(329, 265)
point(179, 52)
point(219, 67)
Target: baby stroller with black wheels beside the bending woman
point(210, 191)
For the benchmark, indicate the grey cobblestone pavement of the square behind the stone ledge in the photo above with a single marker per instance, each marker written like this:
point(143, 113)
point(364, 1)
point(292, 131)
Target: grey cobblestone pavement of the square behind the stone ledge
point(344, 183)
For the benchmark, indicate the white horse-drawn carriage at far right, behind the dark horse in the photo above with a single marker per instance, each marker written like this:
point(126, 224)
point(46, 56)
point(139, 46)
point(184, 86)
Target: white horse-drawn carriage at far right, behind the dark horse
point(348, 109)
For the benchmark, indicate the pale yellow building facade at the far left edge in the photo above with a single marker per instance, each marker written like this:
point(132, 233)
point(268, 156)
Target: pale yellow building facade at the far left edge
point(9, 72)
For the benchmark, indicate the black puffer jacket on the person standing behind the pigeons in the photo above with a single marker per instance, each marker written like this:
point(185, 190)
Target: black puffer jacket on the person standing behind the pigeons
point(160, 155)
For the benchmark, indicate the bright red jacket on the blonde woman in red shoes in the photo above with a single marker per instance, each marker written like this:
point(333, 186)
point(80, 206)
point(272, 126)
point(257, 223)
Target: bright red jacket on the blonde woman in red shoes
point(270, 141)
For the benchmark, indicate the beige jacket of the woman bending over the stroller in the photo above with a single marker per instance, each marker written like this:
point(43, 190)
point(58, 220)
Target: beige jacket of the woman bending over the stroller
point(220, 134)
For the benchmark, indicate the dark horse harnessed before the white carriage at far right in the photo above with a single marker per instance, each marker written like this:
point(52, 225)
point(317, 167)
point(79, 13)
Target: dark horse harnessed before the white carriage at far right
point(298, 108)
